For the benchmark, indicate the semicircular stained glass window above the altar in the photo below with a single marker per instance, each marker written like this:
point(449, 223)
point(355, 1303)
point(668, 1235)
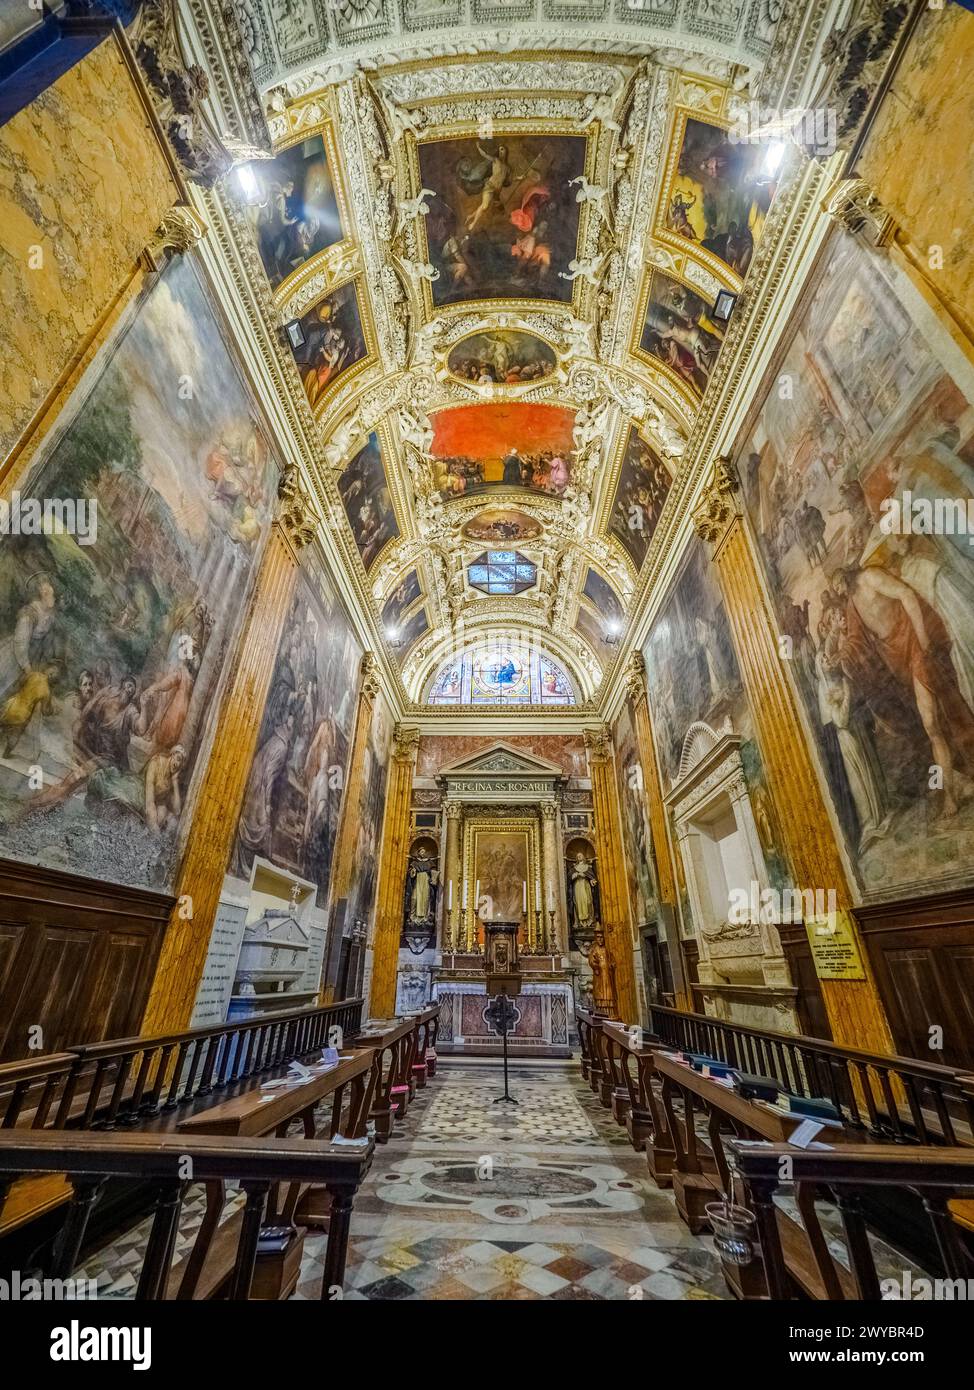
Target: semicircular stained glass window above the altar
point(502, 671)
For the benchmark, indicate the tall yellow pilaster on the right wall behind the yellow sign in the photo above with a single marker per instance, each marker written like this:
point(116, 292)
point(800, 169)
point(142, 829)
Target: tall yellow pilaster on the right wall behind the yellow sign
point(855, 1010)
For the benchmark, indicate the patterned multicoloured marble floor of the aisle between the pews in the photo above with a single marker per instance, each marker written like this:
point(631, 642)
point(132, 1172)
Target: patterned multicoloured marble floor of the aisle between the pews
point(474, 1200)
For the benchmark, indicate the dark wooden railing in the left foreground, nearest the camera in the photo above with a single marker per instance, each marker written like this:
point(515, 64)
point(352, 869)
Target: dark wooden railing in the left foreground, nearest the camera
point(262, 1167)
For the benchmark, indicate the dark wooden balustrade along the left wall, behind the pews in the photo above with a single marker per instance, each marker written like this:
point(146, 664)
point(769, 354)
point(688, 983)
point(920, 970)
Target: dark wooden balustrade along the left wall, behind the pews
point(131, 1081)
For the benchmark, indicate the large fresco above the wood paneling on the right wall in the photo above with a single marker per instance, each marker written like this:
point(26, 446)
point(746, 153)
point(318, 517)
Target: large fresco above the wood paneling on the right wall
point(879, 621)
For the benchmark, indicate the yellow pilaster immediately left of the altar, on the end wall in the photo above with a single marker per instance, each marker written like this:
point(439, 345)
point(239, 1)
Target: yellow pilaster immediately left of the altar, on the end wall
point(393, 875)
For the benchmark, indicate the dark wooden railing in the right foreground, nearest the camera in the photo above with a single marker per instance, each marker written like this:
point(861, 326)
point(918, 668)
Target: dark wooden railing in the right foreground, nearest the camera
point(941, 1178)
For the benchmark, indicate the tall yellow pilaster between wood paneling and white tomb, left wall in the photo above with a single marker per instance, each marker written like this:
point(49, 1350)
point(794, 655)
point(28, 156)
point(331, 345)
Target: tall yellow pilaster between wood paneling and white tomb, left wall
point(213, 831)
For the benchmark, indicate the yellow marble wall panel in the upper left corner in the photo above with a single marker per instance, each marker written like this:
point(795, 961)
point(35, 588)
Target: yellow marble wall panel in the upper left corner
point(85, 180)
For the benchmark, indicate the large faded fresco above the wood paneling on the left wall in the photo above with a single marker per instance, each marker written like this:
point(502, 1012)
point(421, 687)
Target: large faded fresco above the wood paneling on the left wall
point(115, 640)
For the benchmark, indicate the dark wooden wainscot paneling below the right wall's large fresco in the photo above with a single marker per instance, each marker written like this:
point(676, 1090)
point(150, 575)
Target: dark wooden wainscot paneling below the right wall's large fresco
point(923, 957)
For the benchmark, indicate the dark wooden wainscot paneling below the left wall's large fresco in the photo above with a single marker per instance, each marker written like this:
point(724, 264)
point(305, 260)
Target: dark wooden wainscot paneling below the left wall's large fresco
point(77, 958)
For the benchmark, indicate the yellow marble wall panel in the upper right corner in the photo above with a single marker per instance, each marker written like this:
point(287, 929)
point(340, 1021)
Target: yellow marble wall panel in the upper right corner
point(918, 155)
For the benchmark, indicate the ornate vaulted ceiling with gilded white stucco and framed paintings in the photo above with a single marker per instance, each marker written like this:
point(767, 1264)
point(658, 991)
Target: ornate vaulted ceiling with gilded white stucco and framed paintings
point(505, 276)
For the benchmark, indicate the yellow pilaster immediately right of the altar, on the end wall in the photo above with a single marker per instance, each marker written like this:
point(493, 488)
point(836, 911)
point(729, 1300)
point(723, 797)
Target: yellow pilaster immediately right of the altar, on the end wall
point(612, 874)
